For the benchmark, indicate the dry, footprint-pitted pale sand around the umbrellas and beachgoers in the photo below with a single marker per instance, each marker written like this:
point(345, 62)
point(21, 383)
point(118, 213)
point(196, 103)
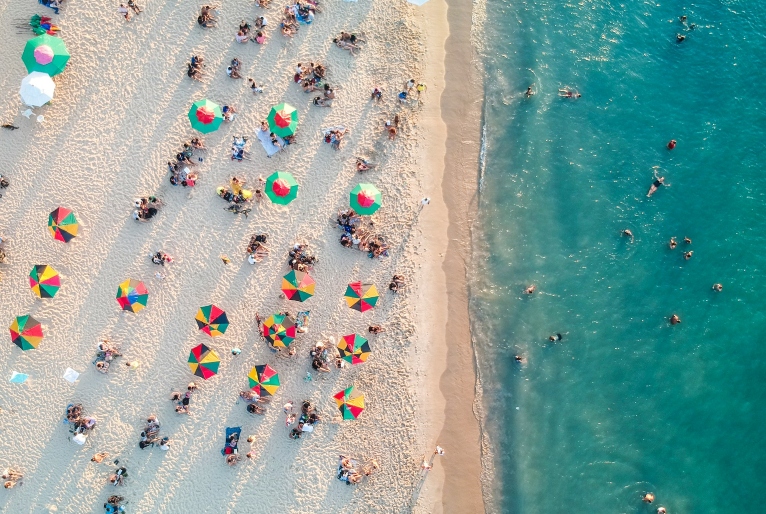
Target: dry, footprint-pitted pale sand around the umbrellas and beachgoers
point(118, 116)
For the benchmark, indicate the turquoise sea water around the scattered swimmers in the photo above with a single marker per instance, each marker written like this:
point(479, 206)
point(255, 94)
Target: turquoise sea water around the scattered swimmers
point(626, 403)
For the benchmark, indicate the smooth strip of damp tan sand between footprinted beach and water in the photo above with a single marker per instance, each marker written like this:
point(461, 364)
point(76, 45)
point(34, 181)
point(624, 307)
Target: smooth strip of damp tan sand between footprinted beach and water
point(453, 127)
